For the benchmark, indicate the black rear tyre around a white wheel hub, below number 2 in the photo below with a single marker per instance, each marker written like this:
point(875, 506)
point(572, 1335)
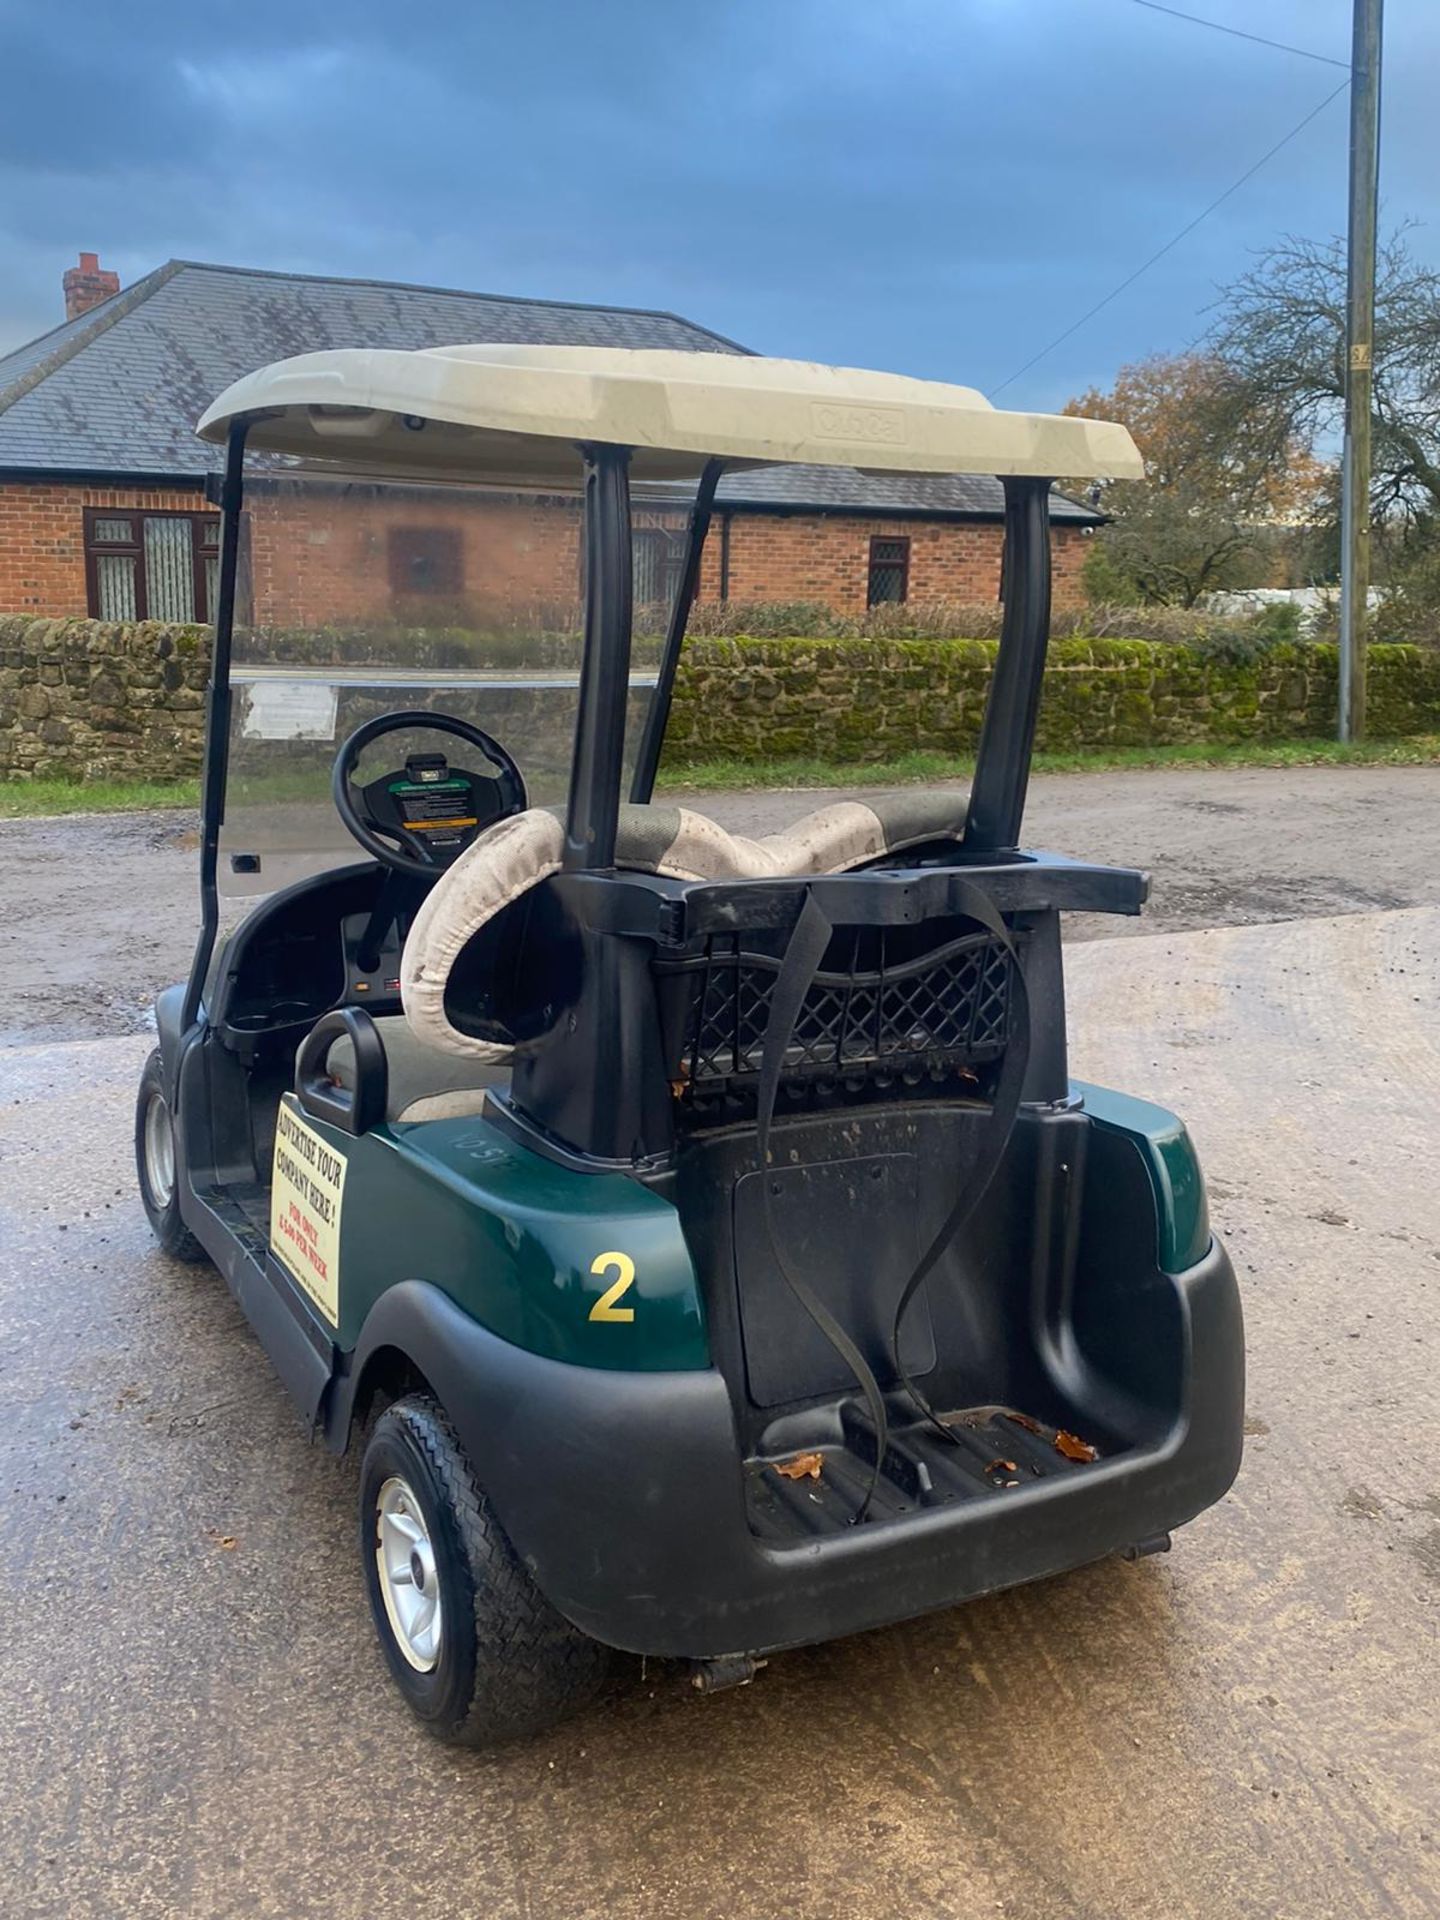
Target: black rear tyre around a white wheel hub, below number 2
point(508, 1664)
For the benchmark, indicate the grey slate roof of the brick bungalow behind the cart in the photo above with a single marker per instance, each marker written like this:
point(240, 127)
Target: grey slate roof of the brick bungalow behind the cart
point(120, 389)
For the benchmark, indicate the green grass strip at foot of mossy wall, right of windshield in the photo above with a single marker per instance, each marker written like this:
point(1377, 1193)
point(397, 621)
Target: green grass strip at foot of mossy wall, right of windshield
point(715, 777)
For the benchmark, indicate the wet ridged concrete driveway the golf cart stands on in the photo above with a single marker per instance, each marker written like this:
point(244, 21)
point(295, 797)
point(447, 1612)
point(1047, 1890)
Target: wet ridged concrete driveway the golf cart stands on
point(195, 1719)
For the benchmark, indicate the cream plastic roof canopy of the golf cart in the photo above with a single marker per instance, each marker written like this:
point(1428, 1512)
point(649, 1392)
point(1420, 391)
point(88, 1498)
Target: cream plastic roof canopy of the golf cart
point(516, 414)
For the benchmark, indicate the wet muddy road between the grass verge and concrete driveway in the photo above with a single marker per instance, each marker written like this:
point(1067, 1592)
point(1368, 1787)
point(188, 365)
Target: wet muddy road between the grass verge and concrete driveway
point(99, 913)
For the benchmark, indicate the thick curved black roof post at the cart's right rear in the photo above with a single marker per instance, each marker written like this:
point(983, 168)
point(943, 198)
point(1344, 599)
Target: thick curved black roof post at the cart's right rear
point(1007, 736)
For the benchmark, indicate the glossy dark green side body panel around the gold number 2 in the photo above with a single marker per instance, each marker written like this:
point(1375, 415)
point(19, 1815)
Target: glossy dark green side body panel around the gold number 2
point(514, 1241)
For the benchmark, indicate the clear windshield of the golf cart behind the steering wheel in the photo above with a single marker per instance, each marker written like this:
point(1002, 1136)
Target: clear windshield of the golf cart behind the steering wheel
point(364, 598)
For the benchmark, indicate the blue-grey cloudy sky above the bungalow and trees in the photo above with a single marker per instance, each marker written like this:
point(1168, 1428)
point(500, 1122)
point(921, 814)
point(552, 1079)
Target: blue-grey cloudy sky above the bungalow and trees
point(928, 185)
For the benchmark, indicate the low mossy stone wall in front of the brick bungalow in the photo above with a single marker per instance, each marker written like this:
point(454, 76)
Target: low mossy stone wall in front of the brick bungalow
point(85, 700)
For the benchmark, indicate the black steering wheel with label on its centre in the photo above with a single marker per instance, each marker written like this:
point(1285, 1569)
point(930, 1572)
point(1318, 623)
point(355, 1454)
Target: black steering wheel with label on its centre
point(429, 809)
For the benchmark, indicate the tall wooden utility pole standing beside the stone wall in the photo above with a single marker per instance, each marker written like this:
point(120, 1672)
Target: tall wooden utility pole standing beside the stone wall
point(1360, 373)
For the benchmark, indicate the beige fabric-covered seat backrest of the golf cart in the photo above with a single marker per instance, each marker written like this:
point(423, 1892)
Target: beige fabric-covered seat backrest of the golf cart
point(517, 853)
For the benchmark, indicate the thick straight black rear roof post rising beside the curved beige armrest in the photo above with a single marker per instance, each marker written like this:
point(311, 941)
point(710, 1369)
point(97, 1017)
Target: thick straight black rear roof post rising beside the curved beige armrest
point(600, 729)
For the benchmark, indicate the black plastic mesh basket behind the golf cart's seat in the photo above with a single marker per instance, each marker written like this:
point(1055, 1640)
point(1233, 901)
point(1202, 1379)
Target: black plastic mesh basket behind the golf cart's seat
point(884, 1011)
